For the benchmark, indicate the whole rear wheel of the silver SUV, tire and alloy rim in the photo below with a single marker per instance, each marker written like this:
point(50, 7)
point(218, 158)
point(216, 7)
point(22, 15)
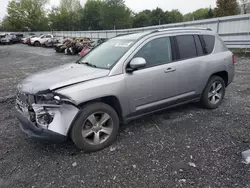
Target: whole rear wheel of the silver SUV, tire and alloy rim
point(213, 93)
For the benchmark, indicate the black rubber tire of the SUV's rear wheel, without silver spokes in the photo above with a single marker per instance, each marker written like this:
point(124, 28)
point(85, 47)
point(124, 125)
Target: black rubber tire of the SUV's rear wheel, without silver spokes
point(205, 100)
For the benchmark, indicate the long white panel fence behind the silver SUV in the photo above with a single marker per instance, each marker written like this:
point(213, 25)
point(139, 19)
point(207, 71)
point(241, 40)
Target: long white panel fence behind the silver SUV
point(234, 30)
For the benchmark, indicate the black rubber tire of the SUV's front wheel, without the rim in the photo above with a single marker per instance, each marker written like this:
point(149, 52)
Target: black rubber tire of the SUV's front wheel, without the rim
point(78, 127)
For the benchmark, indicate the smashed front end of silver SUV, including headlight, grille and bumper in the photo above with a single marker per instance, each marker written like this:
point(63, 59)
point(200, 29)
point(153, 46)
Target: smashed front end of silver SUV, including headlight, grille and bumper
point(45, 115)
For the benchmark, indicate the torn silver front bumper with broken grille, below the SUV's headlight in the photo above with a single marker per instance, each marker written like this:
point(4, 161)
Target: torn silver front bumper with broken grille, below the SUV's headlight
point(45, 121)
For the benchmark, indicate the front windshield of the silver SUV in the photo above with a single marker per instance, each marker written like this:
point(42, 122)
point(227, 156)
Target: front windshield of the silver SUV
point(107, 54)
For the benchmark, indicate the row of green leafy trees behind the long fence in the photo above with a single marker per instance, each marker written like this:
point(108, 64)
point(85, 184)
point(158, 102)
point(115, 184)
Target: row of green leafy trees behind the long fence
point(69, 15)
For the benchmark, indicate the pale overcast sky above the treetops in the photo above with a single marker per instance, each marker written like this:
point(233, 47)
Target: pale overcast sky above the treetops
point(185, 6)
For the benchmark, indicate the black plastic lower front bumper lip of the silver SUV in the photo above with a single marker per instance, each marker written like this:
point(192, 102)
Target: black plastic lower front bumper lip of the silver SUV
point(32, 131)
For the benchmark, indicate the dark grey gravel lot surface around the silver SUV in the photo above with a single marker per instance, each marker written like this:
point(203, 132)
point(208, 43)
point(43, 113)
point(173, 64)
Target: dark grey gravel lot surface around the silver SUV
point(183, 147)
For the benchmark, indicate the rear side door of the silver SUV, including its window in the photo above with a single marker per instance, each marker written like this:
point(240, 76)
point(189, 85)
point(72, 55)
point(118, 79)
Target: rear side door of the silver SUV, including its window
point(187, 66)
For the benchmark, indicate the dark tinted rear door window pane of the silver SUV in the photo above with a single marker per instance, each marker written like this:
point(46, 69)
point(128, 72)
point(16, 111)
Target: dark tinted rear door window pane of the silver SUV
point(186, 45)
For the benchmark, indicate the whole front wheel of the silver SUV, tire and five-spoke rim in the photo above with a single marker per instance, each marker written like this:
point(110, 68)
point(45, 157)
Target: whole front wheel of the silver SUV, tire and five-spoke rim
point(95, 112)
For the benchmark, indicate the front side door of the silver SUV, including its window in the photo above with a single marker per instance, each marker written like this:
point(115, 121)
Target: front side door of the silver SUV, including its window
point(147, 86)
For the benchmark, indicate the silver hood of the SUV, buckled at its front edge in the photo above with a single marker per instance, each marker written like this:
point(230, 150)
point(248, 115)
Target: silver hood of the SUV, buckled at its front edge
point(60, 76)
